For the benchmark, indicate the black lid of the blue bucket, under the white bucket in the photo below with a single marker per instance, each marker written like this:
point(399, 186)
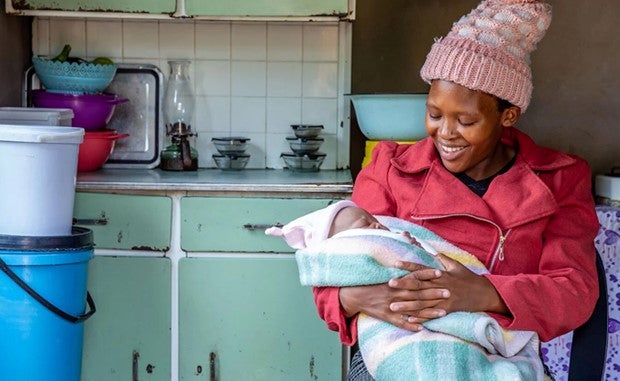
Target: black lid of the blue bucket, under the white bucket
point(80, 238)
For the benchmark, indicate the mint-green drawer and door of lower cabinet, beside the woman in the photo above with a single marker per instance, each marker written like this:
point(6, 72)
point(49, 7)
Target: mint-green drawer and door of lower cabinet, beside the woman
point(248, 309)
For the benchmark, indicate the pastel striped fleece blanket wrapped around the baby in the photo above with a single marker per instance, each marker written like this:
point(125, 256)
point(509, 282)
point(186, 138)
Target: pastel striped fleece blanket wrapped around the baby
point(459, 346)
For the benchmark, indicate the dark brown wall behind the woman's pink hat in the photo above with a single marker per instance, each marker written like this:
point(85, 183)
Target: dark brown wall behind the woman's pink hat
point(576, 101)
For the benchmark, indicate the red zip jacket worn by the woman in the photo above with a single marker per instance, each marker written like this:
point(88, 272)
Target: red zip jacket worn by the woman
point(534, 228)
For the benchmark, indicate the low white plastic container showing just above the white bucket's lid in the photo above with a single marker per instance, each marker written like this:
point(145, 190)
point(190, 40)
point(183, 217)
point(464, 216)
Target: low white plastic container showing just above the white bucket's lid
point(32, 116)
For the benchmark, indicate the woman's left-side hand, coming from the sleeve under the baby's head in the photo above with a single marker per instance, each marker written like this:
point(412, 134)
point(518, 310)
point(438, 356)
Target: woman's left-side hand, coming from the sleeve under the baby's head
point(376, 300)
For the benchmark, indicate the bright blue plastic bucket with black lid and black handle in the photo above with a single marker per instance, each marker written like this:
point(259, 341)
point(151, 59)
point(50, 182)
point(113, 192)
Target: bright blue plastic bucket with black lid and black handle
point(42, 305)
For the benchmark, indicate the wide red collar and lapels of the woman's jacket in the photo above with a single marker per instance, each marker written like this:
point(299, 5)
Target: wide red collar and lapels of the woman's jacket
point(443, 194)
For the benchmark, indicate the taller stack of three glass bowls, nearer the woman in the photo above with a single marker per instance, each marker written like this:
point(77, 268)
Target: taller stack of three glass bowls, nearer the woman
point(305, 146)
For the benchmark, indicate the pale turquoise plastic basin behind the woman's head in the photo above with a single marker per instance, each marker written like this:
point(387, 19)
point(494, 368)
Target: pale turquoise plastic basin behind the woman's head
point(398, 117)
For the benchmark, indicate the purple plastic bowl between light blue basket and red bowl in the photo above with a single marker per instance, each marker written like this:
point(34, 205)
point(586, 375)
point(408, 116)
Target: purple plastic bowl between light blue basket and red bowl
point(90, 111)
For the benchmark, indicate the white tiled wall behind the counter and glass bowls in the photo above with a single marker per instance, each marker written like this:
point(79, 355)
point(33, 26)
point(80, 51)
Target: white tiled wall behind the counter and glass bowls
point(253, 79)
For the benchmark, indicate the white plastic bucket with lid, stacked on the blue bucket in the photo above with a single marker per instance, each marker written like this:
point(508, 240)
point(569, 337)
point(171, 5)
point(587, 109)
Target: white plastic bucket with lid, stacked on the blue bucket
point(38, 166)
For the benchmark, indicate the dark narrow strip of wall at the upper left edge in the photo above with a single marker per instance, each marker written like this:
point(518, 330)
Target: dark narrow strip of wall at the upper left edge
point(14, 56)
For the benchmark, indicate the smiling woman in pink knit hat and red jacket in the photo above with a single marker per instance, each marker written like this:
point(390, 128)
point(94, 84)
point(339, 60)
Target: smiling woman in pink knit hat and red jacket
point(526, 212)
